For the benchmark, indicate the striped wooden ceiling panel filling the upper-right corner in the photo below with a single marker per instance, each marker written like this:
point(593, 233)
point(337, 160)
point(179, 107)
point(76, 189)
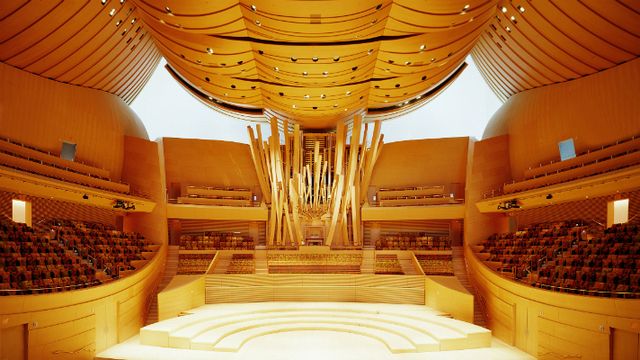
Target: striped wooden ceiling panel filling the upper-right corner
point(535, 43)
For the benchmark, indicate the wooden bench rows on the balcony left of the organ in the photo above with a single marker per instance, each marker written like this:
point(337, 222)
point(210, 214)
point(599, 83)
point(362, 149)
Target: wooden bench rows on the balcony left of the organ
point(216, 196)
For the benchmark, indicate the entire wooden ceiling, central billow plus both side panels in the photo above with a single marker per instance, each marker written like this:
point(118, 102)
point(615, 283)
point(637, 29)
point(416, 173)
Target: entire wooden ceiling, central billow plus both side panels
point(316, 62)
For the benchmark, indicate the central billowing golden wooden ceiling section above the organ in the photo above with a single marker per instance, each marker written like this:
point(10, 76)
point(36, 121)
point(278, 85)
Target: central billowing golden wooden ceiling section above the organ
point(315, 62)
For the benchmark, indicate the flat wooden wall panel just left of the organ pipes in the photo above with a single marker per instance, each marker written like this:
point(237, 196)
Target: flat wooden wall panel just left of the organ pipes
point(209, 162)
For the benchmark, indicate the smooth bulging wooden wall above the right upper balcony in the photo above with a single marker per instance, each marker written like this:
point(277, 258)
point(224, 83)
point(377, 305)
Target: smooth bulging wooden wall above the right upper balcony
point(595, 110)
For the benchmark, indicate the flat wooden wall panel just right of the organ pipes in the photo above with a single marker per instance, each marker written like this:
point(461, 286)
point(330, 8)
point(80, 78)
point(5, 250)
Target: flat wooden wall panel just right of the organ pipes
point(421, 162)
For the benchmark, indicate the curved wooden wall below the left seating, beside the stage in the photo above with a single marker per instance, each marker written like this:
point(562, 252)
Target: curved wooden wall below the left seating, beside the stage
point(78, 324)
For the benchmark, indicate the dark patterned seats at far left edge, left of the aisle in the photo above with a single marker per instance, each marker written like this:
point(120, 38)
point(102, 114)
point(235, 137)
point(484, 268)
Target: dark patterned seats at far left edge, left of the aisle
point(32, 262)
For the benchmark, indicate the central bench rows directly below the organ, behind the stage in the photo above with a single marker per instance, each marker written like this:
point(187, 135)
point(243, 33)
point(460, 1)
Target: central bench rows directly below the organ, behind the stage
point(332, 263)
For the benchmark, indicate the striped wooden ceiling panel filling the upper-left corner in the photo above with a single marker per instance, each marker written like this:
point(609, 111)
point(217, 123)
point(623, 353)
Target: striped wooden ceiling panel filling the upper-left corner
point(100, 44)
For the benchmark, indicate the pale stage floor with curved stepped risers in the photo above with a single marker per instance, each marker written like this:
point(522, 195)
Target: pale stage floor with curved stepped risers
point(336, 331)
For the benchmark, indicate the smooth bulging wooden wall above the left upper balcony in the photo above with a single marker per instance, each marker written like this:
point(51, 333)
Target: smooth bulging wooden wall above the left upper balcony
point(42, 113)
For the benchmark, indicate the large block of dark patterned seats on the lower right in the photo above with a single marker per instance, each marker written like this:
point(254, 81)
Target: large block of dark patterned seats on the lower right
point(570, 257)
